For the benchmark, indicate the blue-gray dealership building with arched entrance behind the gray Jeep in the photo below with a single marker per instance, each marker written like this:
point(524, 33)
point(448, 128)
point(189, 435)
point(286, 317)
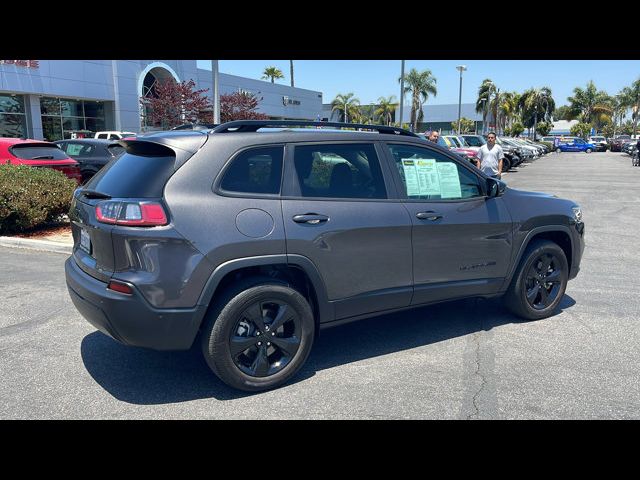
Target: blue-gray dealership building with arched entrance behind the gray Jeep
point(55, 99)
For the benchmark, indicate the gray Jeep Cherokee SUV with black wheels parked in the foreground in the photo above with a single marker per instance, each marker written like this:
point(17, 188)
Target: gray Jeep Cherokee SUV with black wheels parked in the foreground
point(256, 239)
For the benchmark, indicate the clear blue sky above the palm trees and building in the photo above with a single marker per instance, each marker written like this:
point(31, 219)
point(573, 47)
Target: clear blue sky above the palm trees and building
point(370, 79)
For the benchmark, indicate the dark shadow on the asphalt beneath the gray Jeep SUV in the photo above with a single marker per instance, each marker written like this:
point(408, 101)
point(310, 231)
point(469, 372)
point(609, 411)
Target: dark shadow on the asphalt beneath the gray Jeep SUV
point(147, 377)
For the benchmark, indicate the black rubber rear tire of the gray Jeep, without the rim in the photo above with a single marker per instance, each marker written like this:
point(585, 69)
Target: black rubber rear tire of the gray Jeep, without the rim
point(216, 342)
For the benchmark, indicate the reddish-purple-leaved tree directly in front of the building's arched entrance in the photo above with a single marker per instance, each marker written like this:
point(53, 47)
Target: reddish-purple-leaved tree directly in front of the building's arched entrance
point(172, 103)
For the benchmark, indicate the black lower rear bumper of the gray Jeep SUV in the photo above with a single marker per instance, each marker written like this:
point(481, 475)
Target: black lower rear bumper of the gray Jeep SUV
point(130, 319)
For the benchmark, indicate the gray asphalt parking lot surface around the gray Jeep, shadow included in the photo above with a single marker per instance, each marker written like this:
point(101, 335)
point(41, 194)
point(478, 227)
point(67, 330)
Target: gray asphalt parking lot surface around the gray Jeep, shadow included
point(468, 359)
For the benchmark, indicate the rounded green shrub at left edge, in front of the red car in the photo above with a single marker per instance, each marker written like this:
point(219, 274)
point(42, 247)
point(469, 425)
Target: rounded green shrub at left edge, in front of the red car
point(30, 196)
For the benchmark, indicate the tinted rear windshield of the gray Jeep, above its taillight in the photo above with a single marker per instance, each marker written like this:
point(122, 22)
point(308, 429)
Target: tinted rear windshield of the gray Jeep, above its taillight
point(135, 175)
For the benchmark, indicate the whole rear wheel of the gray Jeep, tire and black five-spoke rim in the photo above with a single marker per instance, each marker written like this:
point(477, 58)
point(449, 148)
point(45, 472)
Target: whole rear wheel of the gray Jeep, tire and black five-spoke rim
point(245, 315)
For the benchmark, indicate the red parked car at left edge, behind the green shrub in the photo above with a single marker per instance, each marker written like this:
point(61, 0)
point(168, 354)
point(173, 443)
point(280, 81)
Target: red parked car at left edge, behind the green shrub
point(38, 153)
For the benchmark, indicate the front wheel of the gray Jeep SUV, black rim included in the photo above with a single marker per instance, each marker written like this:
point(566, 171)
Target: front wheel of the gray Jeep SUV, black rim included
point(526, 281)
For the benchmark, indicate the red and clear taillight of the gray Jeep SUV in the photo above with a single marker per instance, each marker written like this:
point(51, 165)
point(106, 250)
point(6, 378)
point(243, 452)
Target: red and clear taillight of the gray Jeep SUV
point(134, 214)
